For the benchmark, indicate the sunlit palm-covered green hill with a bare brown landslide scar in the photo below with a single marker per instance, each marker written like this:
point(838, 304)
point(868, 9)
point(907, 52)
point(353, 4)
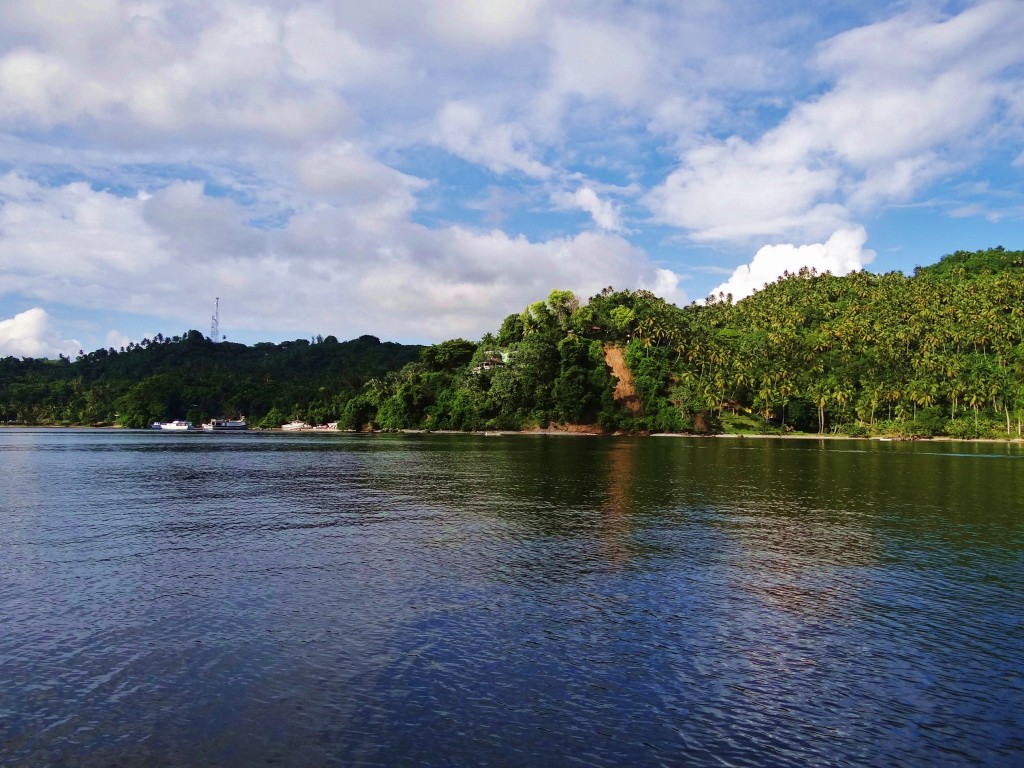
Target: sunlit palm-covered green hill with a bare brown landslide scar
point(941, 353)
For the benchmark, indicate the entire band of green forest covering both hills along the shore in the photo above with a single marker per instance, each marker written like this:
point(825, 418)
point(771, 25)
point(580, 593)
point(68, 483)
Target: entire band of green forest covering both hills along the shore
point(937, 353)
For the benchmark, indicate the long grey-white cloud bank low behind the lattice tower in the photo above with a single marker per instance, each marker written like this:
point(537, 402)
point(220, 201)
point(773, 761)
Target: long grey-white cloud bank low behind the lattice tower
point(328, 270)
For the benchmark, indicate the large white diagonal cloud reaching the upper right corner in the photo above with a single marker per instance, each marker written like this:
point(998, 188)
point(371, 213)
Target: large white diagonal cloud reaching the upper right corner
point(905, 93)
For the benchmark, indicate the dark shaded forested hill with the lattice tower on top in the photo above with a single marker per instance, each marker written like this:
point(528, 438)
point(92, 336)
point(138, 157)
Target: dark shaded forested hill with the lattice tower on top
point(191, 377)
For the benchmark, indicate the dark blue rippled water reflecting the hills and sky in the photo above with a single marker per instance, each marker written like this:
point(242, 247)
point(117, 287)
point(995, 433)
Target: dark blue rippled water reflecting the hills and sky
point(329, 600)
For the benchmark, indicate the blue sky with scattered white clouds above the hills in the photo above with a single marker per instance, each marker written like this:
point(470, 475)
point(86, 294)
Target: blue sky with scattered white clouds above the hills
point(419, 169)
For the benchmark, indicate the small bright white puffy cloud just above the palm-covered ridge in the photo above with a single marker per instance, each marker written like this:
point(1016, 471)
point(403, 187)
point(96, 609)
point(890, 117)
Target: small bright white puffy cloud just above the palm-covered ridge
point(843, 253)
